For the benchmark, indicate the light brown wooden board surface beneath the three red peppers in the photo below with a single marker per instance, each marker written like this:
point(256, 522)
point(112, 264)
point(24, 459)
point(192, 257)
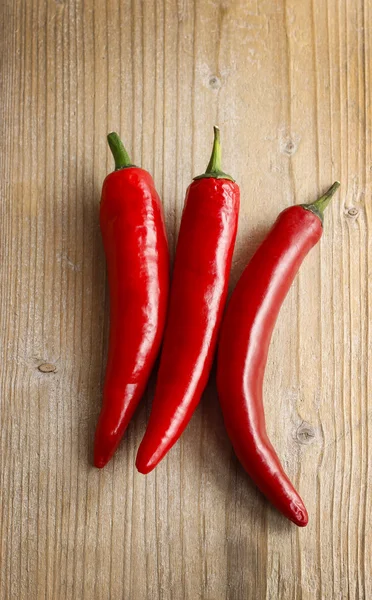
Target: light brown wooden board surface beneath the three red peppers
point(289, 83)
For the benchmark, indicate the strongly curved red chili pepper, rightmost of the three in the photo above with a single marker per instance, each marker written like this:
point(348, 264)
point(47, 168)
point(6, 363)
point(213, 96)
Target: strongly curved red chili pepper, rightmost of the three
point(244, 342)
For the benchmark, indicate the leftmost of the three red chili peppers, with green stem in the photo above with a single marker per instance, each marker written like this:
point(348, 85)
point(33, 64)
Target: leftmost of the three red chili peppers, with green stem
point(136, 251)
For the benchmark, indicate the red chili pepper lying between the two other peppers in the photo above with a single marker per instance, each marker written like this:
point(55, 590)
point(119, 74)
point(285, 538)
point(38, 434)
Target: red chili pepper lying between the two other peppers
point(198, 293)
